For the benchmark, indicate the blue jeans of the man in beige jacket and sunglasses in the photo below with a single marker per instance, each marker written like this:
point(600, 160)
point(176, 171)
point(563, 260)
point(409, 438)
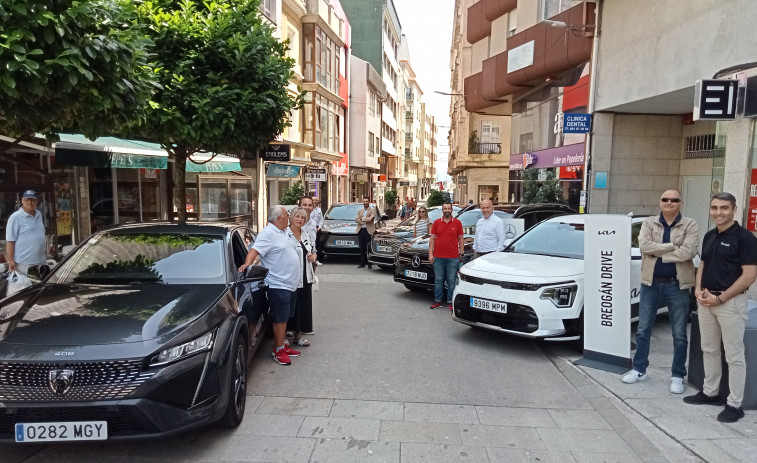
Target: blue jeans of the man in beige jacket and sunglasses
point(677, 301)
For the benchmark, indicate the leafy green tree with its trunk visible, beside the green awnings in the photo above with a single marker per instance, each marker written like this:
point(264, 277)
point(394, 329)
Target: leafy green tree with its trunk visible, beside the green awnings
point(224, 79)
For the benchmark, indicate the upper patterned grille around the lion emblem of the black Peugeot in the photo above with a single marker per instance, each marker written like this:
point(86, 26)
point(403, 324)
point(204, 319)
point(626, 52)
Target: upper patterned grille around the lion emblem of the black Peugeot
point(30, 382)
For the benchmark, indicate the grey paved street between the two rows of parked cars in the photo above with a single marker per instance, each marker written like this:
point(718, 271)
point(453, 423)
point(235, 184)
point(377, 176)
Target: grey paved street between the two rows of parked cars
point(386, 379)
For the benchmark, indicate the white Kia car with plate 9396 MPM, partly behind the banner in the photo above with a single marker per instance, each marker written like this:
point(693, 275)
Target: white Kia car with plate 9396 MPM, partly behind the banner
point(535, 287)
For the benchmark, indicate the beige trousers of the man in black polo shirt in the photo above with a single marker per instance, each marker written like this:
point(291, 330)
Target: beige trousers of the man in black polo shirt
point(724, 322)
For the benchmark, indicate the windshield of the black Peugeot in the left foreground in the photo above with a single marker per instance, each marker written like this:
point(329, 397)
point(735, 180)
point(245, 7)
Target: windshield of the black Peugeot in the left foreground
point(129, 258)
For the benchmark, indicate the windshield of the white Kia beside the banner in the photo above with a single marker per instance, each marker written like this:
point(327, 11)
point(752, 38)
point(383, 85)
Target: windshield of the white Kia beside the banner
point(561, 239)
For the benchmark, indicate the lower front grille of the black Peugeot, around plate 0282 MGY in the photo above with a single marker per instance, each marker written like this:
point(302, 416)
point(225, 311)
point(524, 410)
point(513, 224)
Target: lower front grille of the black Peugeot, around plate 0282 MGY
point(122, 421)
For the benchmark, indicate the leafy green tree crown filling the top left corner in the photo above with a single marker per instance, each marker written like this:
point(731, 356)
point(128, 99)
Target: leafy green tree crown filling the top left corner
point(78, 66)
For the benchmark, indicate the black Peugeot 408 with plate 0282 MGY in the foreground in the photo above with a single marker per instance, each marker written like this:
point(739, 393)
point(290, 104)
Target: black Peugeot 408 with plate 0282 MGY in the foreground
point(141, 331)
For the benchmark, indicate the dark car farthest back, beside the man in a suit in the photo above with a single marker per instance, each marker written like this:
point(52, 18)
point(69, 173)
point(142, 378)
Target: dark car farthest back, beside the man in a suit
point(338, 236)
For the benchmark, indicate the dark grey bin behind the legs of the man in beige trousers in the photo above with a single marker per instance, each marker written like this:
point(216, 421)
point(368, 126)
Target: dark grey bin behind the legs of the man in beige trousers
point(696, 365)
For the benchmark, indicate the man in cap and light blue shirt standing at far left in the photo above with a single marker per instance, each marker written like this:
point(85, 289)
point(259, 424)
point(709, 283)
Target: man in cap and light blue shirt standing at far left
point(25, 235)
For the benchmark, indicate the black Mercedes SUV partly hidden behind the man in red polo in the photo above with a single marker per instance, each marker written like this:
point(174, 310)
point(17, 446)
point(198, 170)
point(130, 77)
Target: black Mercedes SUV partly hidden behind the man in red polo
point(412, 267)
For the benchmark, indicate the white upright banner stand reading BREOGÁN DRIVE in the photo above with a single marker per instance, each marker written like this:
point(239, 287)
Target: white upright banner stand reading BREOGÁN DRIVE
point(607, 294)
